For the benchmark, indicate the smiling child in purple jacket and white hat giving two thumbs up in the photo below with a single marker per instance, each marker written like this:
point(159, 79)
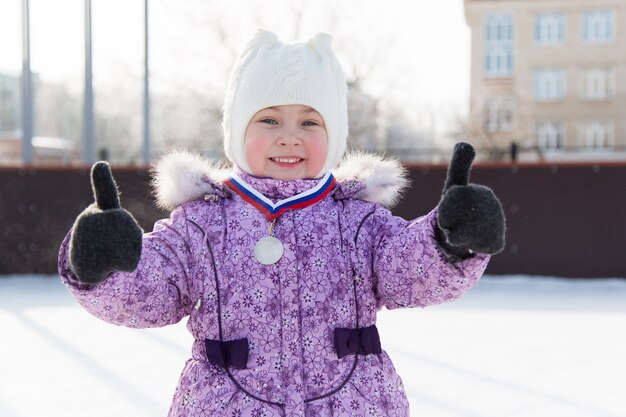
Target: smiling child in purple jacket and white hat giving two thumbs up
point(280, 264)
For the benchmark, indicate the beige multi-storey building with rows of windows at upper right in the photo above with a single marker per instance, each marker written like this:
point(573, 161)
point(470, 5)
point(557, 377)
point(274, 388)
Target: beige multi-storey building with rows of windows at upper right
point(549, 75)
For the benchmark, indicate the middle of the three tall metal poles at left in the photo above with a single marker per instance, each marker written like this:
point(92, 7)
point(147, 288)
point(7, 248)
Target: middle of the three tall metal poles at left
point(88, 136)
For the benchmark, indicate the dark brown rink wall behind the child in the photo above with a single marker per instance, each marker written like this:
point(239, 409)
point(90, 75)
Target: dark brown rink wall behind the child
point(564, 220)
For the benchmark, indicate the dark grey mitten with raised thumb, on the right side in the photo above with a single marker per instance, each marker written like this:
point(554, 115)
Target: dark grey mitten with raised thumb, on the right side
point(470, 216)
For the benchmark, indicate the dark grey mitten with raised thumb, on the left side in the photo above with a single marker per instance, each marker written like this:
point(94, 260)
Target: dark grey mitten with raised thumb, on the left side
point(105, 237)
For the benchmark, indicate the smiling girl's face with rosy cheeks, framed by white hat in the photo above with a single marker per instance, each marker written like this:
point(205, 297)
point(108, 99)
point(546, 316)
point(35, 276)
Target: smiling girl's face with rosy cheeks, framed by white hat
point(286, 142)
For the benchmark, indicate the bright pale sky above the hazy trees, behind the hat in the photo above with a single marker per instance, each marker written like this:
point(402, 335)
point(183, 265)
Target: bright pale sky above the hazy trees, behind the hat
point(414, 53)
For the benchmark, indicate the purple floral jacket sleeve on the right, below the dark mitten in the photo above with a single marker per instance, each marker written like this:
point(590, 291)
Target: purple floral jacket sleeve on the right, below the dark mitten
point(408, 268)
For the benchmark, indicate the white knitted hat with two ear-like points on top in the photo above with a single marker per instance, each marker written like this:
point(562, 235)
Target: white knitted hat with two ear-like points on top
point(271, 73)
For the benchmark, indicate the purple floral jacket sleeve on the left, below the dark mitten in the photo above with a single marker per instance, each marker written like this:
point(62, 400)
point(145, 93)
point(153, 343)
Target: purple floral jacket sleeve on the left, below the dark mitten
point(155, 294)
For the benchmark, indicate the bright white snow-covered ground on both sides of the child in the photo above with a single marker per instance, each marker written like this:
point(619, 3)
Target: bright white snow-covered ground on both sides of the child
point(513, 346)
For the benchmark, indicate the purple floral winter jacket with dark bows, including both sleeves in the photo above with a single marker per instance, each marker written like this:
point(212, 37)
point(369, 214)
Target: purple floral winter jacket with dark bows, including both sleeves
point(344, 259)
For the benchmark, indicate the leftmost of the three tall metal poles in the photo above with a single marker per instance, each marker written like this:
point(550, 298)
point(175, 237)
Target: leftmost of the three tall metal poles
point(27, 88)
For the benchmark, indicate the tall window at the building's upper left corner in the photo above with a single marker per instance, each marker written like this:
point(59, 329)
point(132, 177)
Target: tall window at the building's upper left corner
point(499, 45)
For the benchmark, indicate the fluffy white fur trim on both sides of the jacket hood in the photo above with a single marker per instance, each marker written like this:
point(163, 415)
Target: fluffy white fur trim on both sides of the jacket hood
point(182, 176)
